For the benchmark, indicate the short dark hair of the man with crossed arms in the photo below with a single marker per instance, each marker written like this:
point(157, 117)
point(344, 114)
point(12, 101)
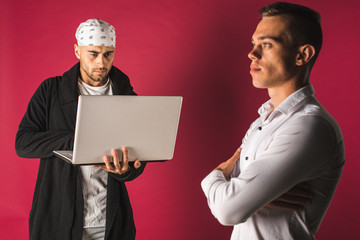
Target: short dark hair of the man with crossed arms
point(305, 24)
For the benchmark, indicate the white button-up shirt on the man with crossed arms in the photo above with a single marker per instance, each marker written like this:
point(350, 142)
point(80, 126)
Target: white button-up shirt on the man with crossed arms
point(296, 142)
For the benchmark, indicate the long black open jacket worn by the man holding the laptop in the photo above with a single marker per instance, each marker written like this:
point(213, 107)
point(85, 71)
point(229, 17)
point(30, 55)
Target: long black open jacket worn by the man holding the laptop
point(49, 124)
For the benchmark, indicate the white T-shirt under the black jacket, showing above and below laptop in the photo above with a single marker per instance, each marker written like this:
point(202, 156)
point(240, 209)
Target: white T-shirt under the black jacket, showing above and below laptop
point(93, 179)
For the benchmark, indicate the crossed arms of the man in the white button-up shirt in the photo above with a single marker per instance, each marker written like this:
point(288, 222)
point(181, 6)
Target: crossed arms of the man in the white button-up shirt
point(276, 178)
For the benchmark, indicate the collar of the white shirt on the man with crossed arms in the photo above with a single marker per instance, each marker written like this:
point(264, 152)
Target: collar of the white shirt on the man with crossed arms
point(289, 104)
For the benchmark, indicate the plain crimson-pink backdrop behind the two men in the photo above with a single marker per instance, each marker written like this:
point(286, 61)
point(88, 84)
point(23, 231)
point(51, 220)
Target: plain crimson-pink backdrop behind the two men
point(193, 48)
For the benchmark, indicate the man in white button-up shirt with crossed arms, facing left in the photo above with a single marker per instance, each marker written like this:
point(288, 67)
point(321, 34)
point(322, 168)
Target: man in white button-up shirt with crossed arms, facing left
point(279, 183)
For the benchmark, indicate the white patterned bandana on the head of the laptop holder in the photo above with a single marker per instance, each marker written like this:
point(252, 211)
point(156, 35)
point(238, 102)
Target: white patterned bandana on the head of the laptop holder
point(95, 32)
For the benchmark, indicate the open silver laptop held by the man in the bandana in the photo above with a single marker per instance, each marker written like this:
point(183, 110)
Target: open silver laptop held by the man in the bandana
point(146, 125)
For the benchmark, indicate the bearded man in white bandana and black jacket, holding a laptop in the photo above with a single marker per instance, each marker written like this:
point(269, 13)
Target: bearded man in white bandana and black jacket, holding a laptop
point(77, 202)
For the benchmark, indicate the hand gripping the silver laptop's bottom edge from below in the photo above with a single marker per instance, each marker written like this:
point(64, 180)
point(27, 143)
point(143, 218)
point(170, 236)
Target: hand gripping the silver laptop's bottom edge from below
point(116, 166)
